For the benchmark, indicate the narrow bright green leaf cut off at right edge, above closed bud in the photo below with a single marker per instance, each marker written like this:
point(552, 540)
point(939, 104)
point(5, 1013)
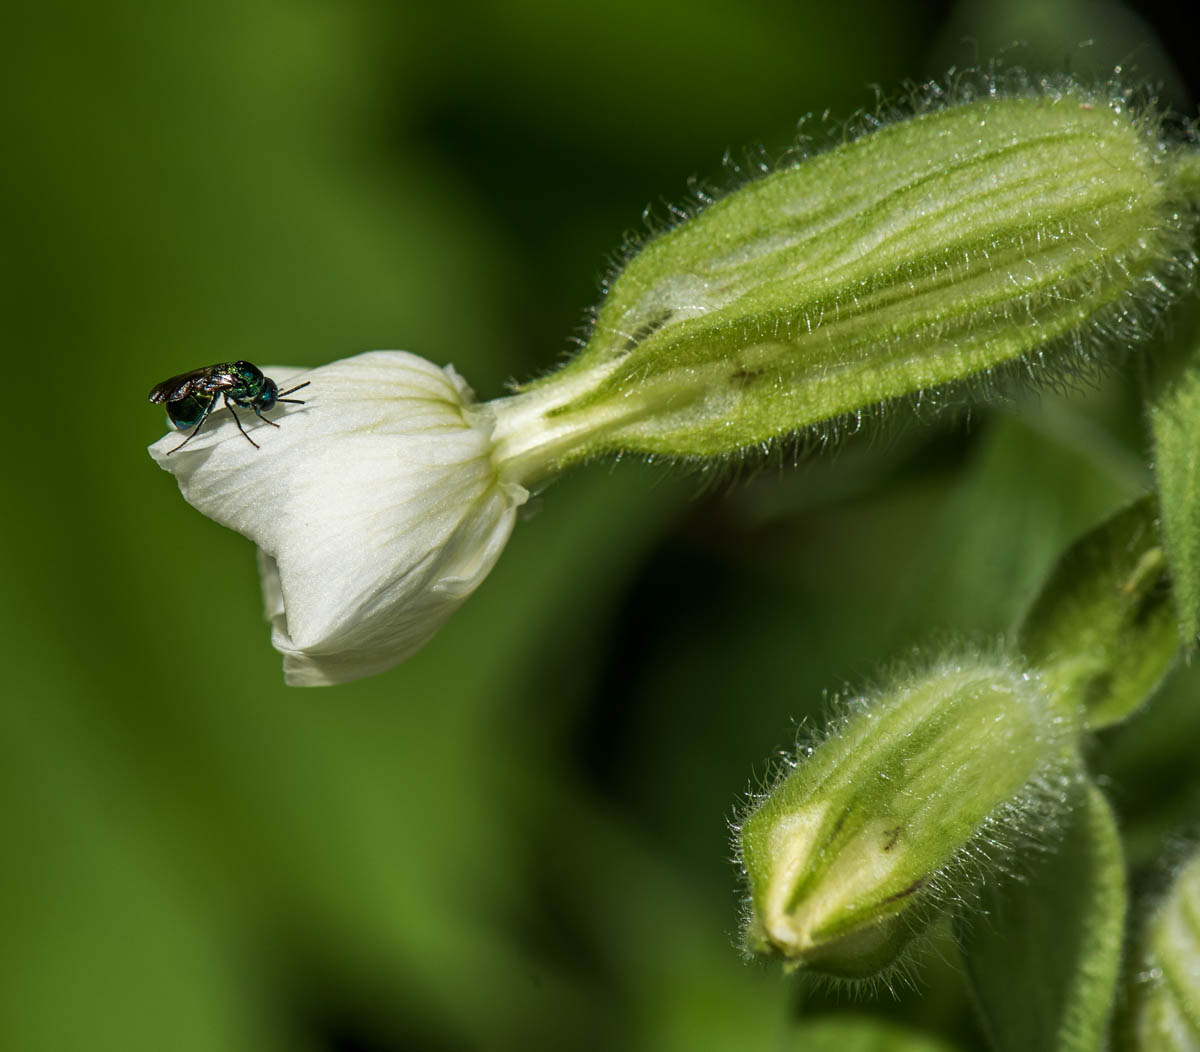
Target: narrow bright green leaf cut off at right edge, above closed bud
point(1175, 424)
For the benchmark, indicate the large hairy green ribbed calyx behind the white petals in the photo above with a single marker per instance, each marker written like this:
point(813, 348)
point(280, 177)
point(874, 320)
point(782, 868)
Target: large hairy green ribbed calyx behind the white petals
point(961, 243)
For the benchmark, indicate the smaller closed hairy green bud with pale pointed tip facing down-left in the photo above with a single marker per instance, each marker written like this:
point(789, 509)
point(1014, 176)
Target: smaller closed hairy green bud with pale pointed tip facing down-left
point(855, 851)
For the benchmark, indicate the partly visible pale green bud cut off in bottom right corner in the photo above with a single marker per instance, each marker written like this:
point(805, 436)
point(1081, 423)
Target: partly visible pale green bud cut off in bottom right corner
point(1167, 1014)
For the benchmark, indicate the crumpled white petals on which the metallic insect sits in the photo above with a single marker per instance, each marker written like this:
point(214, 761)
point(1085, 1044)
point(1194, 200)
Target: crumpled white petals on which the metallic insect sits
point(377, 507)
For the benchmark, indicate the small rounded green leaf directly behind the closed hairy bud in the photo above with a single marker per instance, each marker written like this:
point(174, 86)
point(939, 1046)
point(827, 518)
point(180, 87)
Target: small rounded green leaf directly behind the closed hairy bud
point(1102, 630)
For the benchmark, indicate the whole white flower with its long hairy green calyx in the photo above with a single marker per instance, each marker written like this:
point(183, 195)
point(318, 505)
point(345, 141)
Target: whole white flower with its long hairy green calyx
point(937, 255)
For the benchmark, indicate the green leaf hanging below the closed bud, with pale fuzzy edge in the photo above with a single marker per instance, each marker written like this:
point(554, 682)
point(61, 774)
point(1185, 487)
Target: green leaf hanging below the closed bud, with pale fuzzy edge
point(1043, 964)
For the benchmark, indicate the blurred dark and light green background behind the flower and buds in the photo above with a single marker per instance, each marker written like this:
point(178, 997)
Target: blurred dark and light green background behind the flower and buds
point(519, 839)
